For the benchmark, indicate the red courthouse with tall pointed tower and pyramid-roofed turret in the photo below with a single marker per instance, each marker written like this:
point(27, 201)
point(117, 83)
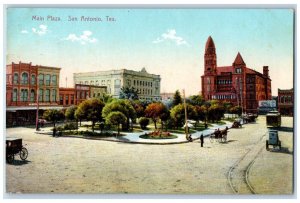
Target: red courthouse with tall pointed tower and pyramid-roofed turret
point(237, 83)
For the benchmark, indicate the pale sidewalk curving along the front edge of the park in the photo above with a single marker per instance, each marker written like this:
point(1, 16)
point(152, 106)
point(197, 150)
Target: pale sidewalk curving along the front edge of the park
point(135, 137)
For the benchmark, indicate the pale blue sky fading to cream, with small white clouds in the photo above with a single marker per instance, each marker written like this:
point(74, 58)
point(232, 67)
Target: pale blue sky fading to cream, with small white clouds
point(167, 42)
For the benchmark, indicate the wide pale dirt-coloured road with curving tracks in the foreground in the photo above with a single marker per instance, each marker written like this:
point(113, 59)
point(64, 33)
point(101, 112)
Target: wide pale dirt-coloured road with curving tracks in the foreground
point(68, 165)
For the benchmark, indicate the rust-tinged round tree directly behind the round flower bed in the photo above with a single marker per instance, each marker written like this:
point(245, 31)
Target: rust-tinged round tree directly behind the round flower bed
point(156, 111)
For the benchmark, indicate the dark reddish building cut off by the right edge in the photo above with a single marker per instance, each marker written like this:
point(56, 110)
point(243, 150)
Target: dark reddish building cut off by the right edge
point(286, 102)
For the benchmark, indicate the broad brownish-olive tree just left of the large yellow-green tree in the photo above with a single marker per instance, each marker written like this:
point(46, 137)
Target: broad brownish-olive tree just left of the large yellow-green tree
point(92, 110)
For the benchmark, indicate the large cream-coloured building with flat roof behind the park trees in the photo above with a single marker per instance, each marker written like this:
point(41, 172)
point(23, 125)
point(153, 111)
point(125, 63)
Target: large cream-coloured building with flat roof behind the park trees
point(148, 85)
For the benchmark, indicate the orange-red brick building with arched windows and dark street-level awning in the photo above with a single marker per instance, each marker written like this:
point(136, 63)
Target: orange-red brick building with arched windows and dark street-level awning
point(26, 87)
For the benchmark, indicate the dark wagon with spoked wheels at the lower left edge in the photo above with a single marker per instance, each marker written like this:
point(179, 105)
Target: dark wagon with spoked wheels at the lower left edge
point(14, 146)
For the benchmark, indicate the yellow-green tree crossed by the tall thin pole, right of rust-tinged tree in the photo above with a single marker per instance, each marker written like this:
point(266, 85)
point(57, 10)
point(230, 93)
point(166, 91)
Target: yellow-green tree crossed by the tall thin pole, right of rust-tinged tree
point(178, 114)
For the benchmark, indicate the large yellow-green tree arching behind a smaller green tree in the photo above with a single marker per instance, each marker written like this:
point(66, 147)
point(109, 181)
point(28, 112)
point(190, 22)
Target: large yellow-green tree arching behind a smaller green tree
point(123, 106)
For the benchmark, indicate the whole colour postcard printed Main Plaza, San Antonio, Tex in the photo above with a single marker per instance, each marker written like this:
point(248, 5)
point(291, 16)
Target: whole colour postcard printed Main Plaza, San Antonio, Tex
point(137, 100)
